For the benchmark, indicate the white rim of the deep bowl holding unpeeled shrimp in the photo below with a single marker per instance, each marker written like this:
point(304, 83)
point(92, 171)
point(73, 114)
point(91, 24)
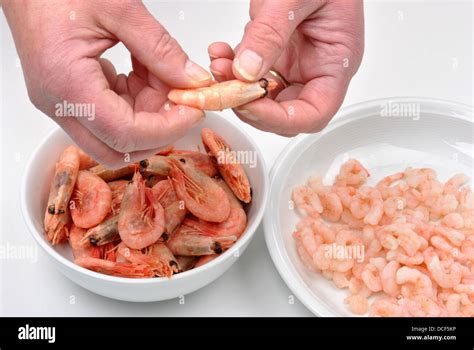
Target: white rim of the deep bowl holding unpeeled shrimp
point(228, 254)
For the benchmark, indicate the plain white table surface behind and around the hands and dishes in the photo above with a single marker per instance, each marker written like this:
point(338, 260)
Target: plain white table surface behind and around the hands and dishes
point(412, 49)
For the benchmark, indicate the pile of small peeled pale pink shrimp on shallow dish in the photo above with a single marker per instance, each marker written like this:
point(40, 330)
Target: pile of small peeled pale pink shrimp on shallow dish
point(404, 247)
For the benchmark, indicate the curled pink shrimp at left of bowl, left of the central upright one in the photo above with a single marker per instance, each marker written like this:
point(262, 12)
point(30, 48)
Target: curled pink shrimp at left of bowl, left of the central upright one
point(92, 200)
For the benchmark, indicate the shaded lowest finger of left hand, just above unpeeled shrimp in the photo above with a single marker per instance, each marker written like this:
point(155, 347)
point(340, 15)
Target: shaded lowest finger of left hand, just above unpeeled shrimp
point(98, 150)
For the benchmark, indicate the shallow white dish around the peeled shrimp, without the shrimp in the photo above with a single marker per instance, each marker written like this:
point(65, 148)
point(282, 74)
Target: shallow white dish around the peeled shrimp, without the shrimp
point(440, 135)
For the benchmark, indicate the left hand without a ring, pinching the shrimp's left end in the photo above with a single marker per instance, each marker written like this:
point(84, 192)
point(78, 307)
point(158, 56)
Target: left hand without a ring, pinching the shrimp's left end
point(60, 43)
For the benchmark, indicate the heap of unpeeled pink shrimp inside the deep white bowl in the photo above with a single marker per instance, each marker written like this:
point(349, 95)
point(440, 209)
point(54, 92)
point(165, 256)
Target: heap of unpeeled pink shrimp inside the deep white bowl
point(167, 214)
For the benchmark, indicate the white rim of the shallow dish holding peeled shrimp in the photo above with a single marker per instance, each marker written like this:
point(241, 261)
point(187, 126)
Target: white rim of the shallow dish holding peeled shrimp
point(272, 233)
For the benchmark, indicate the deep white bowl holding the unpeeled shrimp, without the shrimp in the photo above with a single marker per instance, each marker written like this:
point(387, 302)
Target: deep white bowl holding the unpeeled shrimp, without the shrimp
point(34, 194)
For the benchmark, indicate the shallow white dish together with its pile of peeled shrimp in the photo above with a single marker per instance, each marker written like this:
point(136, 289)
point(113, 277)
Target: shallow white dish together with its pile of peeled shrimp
point(375, 215)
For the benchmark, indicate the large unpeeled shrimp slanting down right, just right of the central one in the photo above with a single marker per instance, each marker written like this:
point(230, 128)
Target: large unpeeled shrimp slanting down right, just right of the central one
point(202, 196)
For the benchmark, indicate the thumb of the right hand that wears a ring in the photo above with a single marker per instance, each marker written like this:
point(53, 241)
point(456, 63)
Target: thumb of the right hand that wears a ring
point(267, 35)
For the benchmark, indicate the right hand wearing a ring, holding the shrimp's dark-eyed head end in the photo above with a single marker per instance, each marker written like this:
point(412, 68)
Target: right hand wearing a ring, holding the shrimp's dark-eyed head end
point(316, 45)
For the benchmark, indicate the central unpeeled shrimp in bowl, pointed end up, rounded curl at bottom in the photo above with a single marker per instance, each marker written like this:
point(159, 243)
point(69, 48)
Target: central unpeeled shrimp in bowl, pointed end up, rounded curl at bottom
point(141, 218)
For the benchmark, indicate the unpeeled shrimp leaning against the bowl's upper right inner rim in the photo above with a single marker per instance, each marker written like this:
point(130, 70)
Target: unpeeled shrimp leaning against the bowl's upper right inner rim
point(229, 166)
